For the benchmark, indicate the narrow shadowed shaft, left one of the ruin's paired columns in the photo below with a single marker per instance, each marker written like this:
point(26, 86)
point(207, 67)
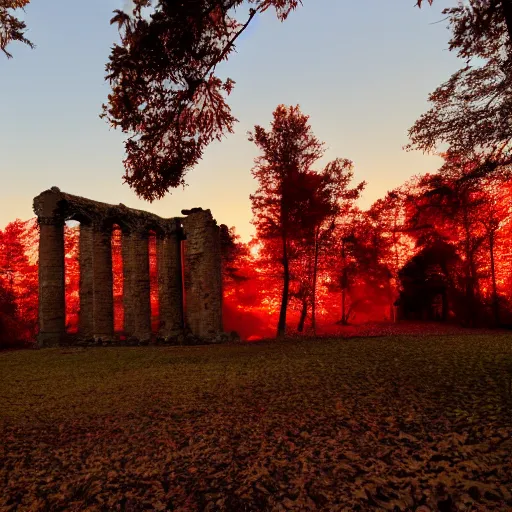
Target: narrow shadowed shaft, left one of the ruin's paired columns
point(86, 326)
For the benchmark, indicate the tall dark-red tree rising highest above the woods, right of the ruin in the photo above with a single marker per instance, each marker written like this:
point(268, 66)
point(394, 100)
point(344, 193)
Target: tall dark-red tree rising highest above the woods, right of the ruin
point(296, 208)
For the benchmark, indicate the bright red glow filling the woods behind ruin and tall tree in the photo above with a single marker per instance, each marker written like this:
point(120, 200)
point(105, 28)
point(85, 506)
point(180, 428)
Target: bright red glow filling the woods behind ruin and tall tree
point(386, 267)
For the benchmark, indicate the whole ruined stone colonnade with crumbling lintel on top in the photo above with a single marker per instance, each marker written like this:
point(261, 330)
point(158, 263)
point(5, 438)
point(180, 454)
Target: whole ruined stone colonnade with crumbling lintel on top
point(189, 279)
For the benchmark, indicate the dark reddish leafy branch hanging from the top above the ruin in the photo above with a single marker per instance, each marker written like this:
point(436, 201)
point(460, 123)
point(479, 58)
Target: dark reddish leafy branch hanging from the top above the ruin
point(165, 93)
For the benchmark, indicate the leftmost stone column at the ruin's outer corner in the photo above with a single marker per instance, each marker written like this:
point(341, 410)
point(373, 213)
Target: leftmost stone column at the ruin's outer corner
point(52, 311)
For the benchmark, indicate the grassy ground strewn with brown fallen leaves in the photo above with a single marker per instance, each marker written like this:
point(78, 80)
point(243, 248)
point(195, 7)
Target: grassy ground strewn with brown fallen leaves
point(401, 423)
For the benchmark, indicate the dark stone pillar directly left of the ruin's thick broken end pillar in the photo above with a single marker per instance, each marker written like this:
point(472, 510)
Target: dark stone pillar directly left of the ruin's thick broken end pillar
point(170, 284)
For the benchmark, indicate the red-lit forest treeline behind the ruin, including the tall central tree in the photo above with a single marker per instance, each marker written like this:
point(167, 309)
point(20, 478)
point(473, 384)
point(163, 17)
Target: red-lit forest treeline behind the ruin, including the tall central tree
point(434, 249)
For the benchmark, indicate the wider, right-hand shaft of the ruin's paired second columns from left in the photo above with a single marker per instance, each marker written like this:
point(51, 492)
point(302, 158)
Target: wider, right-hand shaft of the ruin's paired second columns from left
point(103, 299)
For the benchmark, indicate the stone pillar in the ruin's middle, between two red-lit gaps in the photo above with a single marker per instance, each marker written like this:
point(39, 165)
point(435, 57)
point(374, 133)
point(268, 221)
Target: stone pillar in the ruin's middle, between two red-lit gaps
point(136, 288)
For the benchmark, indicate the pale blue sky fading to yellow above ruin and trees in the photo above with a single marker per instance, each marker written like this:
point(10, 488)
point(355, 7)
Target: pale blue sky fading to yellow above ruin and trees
point(361, 69)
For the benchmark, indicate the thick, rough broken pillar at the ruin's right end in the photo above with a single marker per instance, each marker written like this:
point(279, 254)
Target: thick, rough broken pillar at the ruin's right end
point(203, 277)
